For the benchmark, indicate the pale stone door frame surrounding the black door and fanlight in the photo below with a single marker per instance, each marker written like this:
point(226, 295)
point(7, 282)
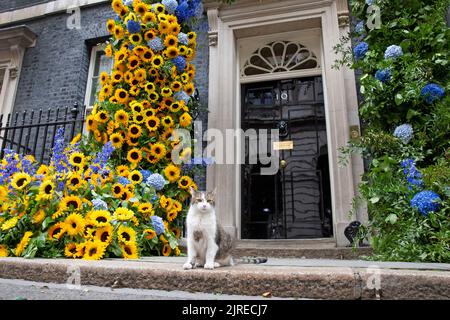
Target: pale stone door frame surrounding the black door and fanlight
point(226, 23)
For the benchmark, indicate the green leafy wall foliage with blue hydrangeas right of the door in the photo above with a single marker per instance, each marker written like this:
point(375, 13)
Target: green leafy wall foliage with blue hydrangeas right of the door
point(404, 85)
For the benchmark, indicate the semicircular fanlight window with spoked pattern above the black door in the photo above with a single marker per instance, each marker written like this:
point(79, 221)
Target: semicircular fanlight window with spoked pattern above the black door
point(279, 56)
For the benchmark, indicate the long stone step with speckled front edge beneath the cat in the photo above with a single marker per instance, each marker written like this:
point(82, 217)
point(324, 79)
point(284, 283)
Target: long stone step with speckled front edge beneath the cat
point(281, 277)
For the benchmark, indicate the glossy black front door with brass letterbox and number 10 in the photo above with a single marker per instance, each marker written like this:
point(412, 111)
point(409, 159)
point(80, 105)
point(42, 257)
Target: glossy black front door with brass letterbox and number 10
point(295, 202)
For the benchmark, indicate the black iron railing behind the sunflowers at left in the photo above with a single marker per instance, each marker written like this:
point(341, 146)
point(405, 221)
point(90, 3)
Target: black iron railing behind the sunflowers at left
point(33, 132)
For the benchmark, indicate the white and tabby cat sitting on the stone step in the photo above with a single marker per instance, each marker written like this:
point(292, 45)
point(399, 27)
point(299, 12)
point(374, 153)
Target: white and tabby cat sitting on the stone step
point(208, 245)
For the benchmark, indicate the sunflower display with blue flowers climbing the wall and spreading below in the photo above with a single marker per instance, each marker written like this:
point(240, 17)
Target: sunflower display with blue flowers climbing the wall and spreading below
point(117, 192)
